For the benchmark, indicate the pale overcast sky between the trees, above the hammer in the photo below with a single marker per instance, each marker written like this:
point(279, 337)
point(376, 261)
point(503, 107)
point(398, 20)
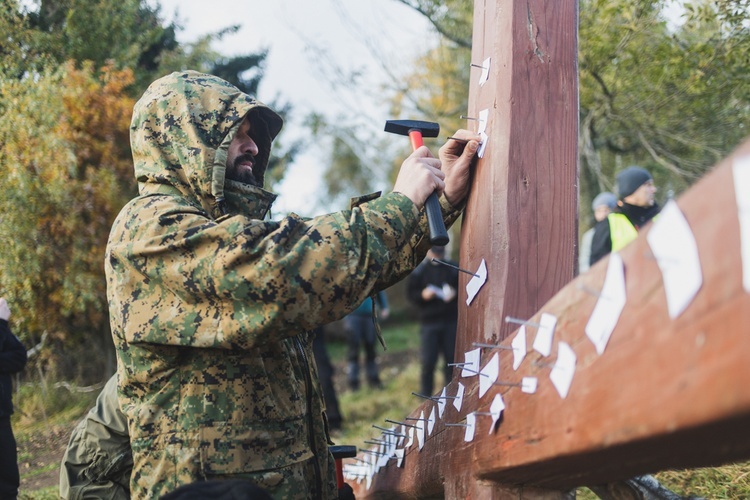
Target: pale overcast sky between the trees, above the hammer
point(293, 31)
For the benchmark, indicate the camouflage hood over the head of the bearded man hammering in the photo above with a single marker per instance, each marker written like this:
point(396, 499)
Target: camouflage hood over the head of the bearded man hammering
point(180, 133)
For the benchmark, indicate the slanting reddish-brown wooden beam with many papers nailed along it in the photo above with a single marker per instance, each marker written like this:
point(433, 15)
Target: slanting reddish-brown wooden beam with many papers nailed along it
point(665, 393)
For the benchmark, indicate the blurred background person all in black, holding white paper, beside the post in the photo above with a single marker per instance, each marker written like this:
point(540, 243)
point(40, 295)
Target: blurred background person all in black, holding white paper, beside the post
point(432, 287)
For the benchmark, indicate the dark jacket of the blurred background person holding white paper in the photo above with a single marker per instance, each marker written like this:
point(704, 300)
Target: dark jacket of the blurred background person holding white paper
point(435, 310)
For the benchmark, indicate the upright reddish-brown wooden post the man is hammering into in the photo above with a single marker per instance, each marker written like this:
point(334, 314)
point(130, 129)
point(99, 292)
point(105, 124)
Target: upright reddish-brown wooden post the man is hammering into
point(522, 215)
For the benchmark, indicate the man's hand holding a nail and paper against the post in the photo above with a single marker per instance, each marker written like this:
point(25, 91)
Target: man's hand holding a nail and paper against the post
point(456, 157)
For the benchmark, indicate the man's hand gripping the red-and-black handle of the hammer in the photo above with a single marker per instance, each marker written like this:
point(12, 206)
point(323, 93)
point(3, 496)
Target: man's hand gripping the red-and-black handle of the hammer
point(419, 176)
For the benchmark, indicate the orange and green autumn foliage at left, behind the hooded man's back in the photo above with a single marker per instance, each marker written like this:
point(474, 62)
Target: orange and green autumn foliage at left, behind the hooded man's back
point(66, 172)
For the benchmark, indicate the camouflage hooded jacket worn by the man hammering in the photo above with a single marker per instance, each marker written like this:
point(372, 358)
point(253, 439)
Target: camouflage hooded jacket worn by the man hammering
point(210, 304)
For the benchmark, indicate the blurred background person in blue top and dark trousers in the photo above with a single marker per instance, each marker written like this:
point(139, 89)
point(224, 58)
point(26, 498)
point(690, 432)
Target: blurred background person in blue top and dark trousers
point(360, 330)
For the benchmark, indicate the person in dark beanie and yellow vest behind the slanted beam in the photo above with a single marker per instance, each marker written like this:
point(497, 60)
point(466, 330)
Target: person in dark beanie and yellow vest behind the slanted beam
point(635, 207)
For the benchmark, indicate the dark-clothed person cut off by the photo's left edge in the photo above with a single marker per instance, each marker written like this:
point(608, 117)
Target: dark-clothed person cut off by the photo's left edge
point(12, 360)
